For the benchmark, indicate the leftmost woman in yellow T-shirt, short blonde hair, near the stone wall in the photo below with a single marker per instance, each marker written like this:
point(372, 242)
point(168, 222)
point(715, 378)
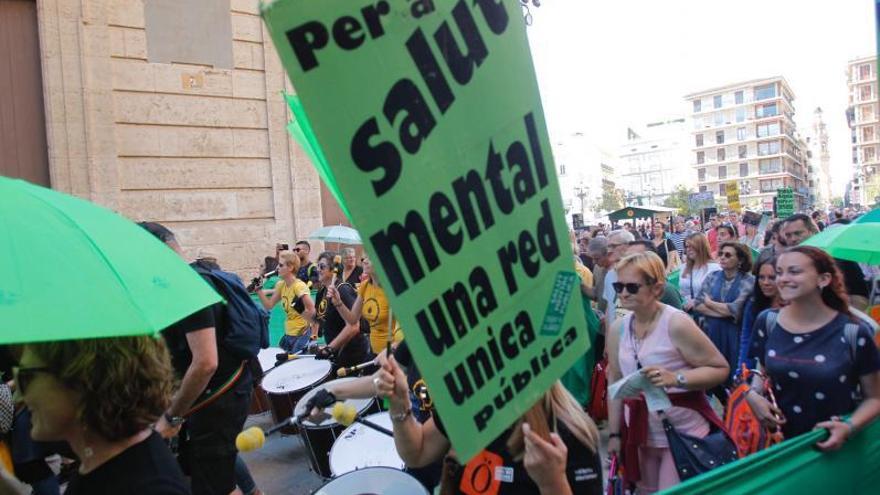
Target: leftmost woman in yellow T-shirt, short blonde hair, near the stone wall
point(295, 299)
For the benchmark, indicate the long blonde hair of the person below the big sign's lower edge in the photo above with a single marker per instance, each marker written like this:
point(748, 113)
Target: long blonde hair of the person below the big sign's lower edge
point(559, 405)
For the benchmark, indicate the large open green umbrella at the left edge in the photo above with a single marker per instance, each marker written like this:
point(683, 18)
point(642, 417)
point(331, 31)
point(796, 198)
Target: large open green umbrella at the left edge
point(70, 269)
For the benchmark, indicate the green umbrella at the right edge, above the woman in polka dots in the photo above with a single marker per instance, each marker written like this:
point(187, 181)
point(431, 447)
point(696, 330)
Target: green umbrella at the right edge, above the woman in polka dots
point(854, 242)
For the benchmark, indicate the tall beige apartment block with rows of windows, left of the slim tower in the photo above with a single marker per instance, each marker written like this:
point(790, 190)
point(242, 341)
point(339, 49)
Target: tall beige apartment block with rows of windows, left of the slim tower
point(745, 132)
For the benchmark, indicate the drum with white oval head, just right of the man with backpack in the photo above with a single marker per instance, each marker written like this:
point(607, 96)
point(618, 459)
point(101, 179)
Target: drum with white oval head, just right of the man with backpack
point(288, 383)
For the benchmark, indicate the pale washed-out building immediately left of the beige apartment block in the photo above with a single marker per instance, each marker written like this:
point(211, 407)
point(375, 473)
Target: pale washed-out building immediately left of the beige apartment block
point(654, 159)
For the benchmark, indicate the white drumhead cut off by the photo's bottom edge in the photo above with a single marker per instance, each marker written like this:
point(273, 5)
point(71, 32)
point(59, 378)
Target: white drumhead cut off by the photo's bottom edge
point(374, 480)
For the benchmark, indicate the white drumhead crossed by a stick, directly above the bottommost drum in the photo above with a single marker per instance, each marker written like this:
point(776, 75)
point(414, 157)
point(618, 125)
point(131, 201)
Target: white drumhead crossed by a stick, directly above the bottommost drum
point(360, 447)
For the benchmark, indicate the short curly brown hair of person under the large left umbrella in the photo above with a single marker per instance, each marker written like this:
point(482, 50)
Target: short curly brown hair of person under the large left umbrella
point(125, 382)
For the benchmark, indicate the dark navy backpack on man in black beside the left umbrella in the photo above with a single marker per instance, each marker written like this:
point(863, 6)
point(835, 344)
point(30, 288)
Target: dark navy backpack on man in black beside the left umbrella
point(247, 325)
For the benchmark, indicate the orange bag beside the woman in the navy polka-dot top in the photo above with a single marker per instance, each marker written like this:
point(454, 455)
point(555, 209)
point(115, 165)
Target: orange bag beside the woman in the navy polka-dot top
point(744, 428)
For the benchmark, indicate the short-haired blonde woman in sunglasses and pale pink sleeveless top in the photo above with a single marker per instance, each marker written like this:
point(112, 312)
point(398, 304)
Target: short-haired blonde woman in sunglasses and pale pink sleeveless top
point(667, 347)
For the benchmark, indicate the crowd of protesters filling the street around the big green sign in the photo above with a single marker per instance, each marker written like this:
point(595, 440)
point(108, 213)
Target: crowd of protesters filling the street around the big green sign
point(687, 305)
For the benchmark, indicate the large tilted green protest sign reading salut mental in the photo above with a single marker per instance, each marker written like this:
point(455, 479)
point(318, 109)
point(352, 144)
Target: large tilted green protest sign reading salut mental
point(429, 116)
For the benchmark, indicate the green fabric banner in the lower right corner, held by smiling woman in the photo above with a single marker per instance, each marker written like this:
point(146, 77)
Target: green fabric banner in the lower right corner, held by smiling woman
point(796, 466)
